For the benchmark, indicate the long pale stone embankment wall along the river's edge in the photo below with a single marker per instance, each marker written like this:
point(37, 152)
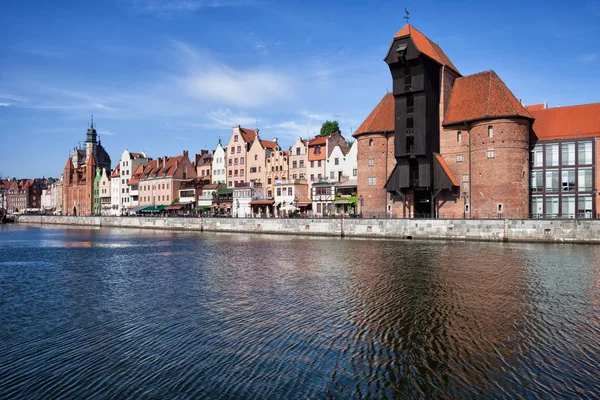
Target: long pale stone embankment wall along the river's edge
point(526, 230)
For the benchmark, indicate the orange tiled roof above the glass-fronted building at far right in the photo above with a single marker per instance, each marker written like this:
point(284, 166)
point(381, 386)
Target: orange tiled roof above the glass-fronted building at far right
point(567, 122)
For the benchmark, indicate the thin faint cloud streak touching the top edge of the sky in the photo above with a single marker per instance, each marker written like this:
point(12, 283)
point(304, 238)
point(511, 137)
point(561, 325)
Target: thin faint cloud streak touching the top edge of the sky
point(176, 6)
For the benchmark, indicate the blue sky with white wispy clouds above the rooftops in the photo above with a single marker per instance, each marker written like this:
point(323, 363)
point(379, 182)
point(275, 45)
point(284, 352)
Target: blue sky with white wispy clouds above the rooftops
point(163, 76)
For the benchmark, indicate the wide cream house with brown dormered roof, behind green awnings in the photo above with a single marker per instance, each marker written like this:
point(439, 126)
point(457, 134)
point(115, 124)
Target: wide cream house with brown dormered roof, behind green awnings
point(161, 180)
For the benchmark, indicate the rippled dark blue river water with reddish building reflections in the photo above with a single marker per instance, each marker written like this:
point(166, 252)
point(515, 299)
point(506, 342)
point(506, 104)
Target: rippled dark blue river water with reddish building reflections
point(110, 313)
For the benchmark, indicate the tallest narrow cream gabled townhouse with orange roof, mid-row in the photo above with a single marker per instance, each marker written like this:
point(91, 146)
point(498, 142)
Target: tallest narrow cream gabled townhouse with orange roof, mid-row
point(237, 150)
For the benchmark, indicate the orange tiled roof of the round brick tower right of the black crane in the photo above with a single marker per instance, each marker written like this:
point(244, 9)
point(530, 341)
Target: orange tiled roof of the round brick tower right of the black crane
point(482, 96)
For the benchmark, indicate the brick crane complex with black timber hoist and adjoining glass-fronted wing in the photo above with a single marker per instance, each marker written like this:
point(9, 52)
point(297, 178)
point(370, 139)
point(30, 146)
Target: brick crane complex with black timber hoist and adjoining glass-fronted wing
point(446, 145)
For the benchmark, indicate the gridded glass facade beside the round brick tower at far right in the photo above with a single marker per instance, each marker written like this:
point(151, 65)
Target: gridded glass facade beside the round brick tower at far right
point(562, 179)
